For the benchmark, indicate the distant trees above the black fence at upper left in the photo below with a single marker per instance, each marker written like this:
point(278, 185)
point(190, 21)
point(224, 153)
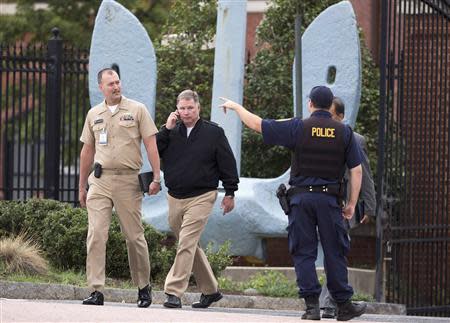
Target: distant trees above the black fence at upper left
point(75, 19)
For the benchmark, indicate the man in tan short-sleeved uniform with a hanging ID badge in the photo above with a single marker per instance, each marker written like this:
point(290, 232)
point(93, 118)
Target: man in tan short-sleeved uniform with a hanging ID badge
point(112, 136)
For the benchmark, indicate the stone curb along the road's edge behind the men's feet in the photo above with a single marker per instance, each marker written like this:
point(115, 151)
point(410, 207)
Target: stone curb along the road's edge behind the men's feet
point(19, 290)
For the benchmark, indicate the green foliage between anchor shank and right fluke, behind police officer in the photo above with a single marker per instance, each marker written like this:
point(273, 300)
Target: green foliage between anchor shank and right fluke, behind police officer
point(268, 91)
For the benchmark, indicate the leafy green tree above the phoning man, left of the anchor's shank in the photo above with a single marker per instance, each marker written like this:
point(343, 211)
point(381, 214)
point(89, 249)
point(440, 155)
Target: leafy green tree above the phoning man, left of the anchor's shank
point(185, 59)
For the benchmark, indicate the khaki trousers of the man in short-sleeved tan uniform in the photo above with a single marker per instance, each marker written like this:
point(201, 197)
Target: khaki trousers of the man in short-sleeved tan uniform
point(124, 193)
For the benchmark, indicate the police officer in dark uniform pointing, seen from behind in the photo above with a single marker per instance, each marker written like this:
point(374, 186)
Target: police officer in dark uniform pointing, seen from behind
point(321, 147)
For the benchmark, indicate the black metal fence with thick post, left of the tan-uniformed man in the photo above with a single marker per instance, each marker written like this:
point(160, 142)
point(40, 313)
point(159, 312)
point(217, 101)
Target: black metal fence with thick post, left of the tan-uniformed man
point(43, 101)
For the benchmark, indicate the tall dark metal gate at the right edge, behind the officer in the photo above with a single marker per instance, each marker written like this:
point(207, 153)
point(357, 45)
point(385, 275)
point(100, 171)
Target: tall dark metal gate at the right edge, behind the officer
point(414, 155)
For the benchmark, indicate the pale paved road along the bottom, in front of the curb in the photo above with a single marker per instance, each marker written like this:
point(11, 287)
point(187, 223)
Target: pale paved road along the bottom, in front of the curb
point(17, 310)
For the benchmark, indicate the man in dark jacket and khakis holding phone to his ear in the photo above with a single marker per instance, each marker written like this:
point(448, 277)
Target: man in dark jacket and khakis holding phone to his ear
point(195, 155)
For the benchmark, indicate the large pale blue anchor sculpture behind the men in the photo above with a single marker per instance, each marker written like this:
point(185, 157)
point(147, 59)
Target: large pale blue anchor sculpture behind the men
point(331, 42)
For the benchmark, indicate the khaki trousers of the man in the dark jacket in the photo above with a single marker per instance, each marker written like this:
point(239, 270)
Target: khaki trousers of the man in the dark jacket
point(187, 219)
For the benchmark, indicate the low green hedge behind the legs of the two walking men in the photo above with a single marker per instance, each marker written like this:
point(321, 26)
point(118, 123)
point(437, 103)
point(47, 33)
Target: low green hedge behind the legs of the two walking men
point(61, 231)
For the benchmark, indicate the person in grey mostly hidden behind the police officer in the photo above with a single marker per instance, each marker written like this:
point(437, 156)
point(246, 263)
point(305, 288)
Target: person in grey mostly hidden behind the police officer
point(365, 210)
